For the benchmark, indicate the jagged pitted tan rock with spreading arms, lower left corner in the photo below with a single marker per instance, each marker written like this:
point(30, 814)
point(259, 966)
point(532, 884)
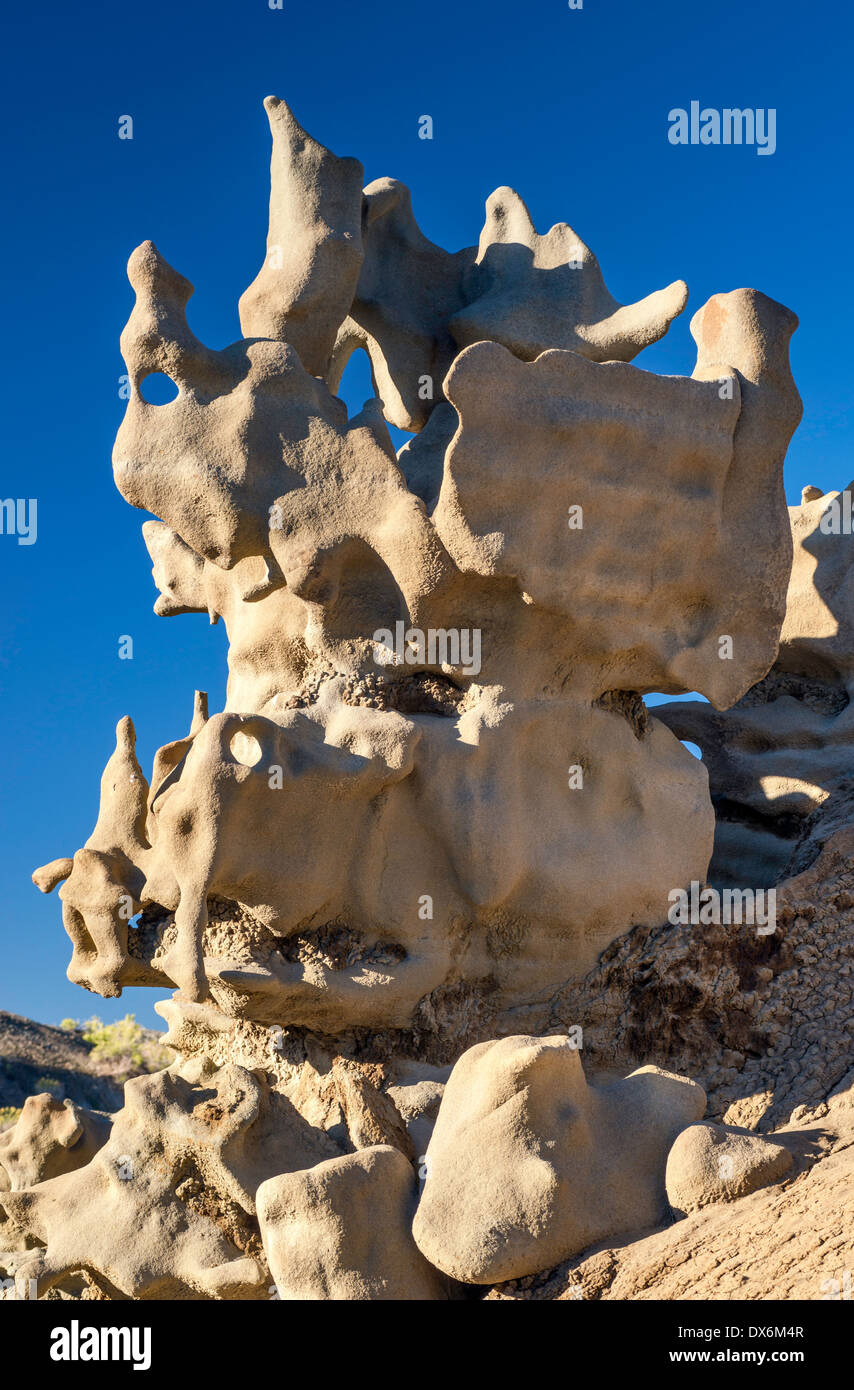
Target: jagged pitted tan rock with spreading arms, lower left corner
point(166, 1207)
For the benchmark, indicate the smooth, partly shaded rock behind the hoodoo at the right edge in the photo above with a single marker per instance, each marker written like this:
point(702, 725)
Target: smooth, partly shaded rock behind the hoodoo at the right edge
point(782, 761)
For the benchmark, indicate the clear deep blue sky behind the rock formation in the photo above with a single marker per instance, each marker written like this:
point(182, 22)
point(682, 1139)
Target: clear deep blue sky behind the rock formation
point(567, 106)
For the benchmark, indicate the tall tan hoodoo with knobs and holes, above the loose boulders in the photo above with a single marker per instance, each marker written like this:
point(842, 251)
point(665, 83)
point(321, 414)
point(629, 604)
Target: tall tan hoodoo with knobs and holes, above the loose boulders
point(435, 794)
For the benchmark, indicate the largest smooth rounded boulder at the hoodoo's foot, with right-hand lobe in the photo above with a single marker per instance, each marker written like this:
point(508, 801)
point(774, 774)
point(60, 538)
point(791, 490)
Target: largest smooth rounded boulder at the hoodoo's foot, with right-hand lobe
point(529, 1164)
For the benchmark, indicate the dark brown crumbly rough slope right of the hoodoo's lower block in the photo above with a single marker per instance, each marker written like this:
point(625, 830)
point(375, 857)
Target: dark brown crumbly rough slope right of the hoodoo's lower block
point(763, 1022)
